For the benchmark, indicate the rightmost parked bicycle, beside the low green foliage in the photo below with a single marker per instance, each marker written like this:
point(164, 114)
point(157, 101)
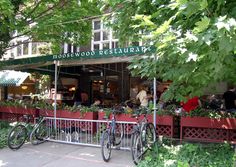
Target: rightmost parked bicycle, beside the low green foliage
point(143, 136)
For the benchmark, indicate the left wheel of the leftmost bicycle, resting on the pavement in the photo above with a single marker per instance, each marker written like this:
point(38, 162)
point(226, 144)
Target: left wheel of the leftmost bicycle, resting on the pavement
point(16, 137)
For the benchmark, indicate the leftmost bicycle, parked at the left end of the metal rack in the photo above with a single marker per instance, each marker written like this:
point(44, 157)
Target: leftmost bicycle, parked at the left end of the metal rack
point(24, 130)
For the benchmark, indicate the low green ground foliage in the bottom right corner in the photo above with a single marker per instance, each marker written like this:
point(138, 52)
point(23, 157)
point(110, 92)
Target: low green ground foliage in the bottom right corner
point(190, 155)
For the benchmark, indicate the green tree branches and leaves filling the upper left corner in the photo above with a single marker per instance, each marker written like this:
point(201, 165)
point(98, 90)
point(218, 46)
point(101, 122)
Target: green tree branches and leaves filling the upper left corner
point(47, 21)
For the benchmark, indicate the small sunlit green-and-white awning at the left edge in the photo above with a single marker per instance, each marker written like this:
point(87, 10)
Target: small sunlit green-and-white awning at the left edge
point(12, 78)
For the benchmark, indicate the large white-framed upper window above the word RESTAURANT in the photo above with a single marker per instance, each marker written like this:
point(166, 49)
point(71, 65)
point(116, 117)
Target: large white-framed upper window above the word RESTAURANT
point(103, 37)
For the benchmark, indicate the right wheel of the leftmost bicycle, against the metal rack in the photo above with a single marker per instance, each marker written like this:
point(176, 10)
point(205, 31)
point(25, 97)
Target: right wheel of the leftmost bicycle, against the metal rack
point(41, 132)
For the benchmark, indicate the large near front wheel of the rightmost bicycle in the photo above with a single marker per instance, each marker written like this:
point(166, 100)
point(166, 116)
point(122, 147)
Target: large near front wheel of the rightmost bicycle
point(136, 147)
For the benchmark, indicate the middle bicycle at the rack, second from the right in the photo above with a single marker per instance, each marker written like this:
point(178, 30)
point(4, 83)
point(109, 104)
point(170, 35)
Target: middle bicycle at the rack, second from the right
point(112, 136)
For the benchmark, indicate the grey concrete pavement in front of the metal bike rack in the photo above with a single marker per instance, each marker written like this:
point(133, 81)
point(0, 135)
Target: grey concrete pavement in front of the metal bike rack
point(51, 154)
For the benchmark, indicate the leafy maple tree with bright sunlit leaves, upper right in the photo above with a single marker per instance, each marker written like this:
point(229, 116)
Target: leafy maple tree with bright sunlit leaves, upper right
point(195, 41)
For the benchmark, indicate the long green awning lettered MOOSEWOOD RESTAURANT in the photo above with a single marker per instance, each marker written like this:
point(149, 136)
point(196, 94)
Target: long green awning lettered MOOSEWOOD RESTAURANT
point(115, 54)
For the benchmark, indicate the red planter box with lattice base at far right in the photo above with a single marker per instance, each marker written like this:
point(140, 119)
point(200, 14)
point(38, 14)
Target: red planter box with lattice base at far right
point(208, 129)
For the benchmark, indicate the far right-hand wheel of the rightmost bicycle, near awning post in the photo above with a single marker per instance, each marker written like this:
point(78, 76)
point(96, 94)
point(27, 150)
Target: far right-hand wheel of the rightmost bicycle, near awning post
point(150, 136)
